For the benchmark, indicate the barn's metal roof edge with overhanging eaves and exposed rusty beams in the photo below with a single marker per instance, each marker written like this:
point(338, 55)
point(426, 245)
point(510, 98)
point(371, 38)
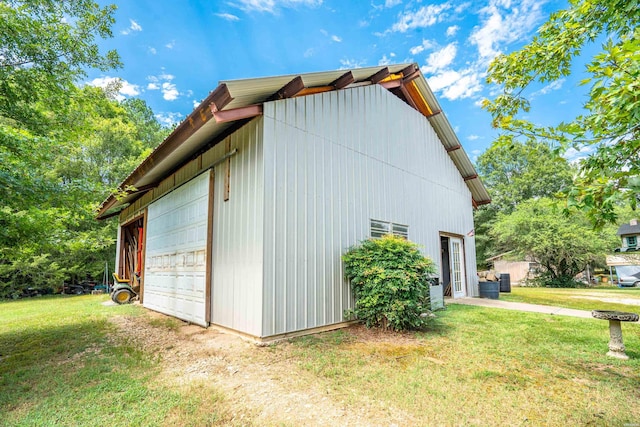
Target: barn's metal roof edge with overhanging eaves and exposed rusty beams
point(235, 102)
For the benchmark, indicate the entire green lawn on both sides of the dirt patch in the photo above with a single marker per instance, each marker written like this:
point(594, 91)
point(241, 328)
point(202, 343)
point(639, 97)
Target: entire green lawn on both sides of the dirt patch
point(62, 365)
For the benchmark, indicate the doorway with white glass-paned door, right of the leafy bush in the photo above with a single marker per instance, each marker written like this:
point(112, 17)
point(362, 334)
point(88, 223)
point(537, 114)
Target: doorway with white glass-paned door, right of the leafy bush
point(452, 270)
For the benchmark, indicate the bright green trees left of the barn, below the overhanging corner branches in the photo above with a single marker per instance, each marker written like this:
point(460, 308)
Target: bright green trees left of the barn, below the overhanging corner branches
point(50, 187)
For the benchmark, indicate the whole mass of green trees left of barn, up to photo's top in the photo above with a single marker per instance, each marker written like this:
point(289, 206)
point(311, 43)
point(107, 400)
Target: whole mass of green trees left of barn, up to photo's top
point(62, 147)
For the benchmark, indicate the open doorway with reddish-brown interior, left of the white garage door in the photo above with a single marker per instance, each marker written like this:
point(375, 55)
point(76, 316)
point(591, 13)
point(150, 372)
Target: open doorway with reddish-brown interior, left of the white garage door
point(131, 257)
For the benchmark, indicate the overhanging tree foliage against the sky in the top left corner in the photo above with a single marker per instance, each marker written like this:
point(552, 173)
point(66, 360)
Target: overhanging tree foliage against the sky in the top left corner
point(45, 48)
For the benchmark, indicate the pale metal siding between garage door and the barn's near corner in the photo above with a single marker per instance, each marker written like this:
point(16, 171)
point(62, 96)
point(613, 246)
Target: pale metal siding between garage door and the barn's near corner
point(238, 234)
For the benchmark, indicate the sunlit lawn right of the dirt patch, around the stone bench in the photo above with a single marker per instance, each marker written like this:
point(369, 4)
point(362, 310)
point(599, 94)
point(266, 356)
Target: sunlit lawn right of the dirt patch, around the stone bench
point(482, 366)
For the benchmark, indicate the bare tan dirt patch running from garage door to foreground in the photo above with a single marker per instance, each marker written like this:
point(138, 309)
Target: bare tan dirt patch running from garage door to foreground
point(262, 384)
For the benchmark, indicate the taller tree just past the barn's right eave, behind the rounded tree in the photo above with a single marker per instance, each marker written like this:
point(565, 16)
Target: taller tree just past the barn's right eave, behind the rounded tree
point(515, 171)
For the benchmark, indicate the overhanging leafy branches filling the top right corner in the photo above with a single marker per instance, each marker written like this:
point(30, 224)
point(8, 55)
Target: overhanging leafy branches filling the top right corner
point(610, 124)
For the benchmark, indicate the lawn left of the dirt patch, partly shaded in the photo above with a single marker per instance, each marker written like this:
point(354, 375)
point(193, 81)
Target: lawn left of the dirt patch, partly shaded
point(60, 366)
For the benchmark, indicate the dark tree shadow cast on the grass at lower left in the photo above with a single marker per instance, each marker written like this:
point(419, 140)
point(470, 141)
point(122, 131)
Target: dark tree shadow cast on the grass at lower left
point(69, 365)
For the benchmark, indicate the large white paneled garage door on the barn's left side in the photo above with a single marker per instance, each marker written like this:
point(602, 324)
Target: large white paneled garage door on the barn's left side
point(176, 258)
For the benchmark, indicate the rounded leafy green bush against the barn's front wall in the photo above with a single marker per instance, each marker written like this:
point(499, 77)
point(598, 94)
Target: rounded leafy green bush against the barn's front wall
point(389, 278)
